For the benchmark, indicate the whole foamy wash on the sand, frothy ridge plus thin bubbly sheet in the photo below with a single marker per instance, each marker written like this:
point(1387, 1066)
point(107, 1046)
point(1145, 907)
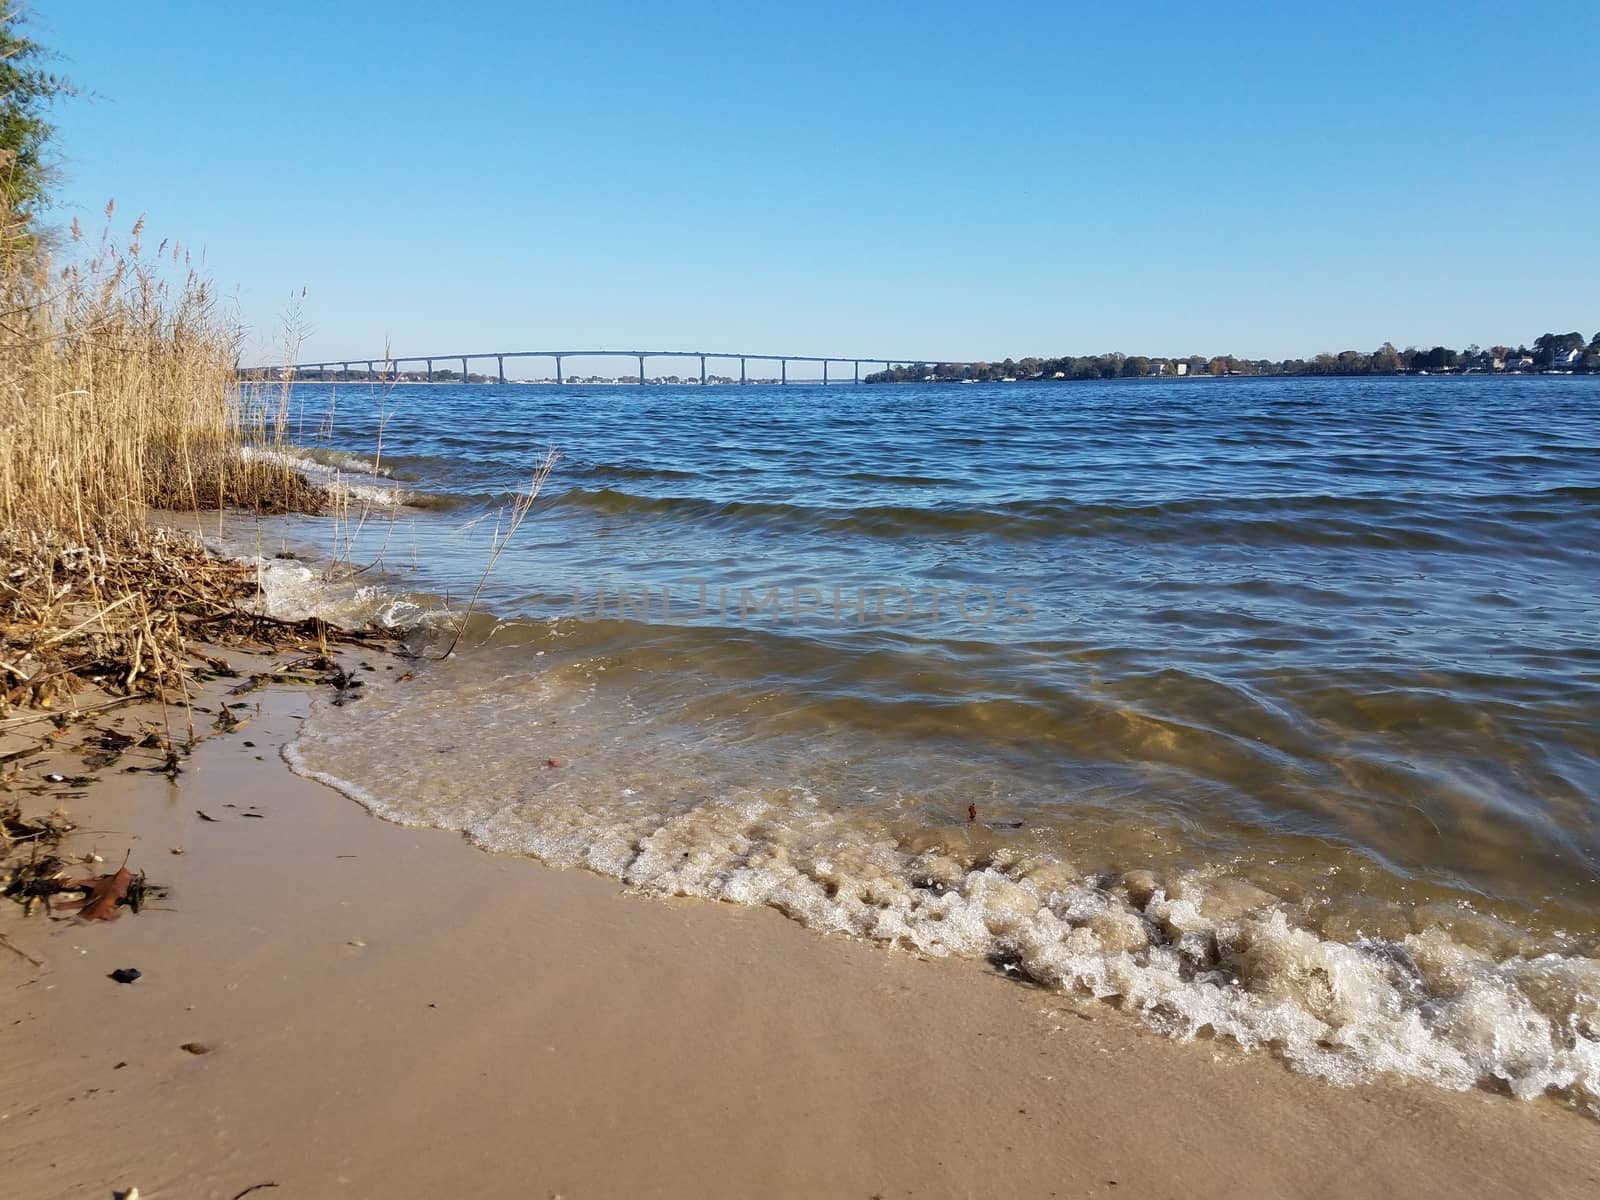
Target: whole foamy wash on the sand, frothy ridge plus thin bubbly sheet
point(1199, 953)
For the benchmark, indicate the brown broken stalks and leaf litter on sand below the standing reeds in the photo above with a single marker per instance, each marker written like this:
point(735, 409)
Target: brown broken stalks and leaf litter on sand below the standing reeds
point(86, 633)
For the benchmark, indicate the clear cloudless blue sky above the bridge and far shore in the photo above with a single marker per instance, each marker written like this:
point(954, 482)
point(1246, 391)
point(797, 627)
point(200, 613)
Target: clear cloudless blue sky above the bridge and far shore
point(942, 180)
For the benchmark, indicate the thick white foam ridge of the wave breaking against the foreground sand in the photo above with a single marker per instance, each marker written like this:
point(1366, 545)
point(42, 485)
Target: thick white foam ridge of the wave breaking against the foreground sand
point(1201, 956)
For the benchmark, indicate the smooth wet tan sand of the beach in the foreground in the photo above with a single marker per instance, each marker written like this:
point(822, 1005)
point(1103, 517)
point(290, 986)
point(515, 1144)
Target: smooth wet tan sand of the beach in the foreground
point(391, 1014)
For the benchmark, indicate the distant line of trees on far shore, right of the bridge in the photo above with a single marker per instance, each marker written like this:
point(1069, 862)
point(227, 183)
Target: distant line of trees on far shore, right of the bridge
point(1550, 353)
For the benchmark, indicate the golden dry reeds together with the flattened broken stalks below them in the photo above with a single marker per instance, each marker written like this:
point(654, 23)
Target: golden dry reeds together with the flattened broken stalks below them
point(119, 394)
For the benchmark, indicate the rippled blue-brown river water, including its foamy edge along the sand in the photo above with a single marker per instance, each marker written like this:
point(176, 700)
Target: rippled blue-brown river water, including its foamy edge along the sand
point(1262, 706)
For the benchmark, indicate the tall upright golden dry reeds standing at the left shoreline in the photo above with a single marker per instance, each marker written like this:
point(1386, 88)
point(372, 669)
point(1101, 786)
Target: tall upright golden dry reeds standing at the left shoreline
point(119, 394)
